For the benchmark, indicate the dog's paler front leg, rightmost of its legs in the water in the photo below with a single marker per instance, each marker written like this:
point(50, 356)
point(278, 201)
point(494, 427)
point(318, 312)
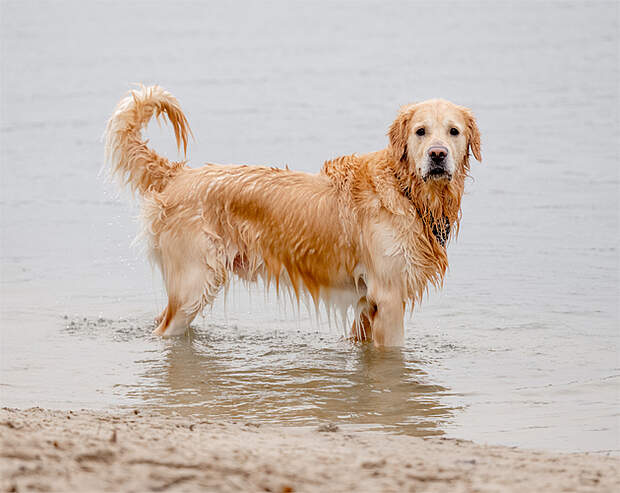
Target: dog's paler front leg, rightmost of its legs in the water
point(387, 323)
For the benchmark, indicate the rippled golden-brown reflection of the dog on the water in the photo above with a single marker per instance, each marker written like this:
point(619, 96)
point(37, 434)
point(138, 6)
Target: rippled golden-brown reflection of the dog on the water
point(291, 378)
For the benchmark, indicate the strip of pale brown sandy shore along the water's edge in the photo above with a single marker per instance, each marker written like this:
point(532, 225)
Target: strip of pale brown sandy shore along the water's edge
point(45, 450)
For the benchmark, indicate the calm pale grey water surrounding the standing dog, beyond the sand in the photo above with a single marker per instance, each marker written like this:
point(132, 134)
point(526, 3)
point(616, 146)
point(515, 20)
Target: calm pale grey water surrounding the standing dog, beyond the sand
point(521, 347)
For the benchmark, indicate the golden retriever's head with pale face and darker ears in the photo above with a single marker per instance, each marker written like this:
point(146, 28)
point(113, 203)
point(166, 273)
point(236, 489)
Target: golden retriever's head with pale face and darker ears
point(432, 140)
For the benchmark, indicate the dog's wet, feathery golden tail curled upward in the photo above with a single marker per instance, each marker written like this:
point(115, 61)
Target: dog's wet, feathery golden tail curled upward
point(127, 153)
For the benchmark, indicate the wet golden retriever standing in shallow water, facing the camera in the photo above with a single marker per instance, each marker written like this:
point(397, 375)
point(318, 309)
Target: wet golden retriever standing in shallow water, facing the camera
point(369, 230)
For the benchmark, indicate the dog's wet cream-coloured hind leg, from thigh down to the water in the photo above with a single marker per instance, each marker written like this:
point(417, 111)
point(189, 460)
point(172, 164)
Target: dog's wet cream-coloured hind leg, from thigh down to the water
point(194, 275)
